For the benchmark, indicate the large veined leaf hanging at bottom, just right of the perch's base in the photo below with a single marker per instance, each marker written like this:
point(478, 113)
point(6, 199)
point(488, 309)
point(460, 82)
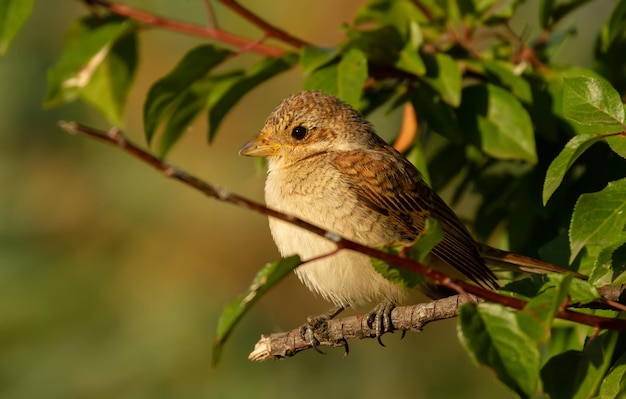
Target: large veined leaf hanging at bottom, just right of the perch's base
point(492, 335)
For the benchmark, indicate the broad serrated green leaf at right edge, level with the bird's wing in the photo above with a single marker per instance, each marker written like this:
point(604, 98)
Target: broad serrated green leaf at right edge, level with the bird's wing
point(599, 218)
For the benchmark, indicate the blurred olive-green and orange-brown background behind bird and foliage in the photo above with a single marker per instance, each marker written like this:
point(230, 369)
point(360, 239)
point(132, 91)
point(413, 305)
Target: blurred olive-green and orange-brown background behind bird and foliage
point(112, 276)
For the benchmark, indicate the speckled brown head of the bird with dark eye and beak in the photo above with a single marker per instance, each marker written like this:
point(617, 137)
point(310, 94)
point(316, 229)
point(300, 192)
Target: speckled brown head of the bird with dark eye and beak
point(307, 124)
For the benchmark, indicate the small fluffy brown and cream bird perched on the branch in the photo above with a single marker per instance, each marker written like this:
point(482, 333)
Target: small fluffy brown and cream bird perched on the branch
point(327, 165)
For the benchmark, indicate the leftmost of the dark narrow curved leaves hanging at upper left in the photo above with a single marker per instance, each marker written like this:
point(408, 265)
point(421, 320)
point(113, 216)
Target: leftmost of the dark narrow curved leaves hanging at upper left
point(165, 92)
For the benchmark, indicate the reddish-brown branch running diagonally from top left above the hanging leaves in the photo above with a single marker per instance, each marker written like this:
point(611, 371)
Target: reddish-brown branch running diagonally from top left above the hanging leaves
point(213, 33)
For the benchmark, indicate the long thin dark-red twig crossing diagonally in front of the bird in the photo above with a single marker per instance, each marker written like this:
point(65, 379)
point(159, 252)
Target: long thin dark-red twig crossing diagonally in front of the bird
point(115, 137)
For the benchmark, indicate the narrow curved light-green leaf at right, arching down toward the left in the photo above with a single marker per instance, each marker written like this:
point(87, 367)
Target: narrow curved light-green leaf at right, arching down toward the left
point(566, 158)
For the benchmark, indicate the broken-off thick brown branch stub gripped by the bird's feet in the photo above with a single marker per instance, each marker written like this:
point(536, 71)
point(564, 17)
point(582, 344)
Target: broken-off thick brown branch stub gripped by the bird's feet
point(337, 332)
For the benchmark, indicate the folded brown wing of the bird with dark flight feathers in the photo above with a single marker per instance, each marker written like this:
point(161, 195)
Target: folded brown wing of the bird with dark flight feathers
point(387, 183)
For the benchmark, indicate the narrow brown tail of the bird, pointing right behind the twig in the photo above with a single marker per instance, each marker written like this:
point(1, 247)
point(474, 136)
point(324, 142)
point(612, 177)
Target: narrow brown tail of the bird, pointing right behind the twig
point(508, 261)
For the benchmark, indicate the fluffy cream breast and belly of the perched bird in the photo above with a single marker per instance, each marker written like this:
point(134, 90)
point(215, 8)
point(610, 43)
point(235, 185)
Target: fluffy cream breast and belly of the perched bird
point(321, 197)
